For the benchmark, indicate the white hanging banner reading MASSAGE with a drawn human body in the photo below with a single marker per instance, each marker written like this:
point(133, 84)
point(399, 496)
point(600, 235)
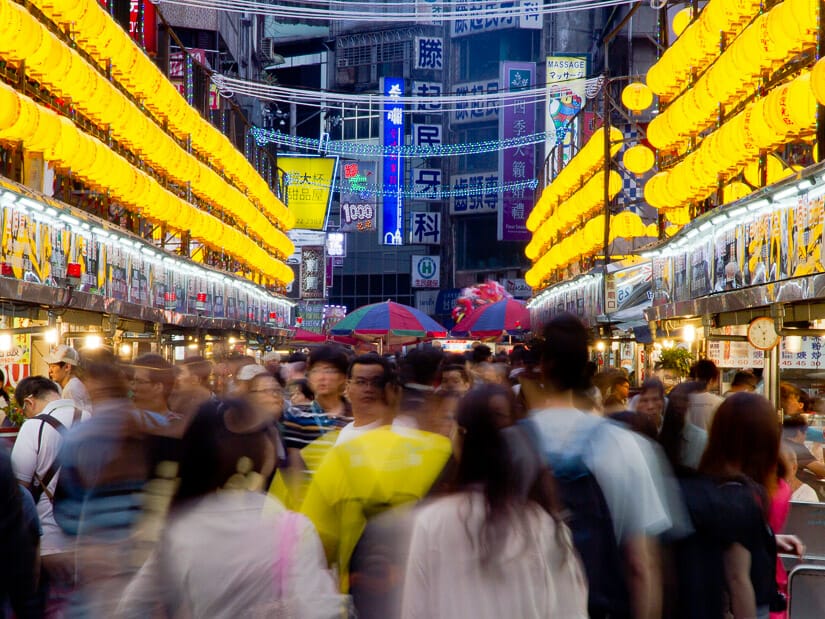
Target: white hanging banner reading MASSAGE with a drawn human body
point(566, 75)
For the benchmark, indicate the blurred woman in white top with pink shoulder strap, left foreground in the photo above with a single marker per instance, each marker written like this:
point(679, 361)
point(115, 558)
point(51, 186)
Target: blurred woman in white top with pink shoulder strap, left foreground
point(227, 550)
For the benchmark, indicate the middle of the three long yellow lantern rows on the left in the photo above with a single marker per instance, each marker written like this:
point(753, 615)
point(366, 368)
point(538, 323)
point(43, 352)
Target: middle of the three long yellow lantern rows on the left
point(64, 72)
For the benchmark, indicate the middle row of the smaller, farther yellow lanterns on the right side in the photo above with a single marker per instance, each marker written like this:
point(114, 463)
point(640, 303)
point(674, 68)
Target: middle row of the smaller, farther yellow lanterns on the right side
point(580, 206)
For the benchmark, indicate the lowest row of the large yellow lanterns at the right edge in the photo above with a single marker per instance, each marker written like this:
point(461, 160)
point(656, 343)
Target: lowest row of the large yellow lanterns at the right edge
point(786, 113)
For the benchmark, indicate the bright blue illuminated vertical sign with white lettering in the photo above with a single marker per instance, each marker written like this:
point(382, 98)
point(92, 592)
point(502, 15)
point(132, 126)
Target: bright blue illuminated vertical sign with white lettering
point(392, 222)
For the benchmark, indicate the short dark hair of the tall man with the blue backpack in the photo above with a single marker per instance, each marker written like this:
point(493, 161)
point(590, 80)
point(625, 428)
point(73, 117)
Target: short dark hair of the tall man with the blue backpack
point(564, 355)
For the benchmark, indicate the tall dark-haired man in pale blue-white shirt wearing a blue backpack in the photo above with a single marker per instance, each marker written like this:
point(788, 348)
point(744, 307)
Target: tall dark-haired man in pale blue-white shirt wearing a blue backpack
point(609, 479)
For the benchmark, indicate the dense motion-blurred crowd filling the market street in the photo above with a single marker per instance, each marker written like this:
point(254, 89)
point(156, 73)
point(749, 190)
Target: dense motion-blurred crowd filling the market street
point(427, 485)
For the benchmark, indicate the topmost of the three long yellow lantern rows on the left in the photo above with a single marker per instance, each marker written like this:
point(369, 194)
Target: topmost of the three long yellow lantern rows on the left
point(94, 30)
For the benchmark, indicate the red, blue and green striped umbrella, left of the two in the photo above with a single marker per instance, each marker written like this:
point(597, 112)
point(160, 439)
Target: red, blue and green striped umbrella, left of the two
point(389, 322)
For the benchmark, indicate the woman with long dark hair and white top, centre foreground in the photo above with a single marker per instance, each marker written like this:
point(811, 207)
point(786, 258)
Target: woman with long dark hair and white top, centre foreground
point(484, 550)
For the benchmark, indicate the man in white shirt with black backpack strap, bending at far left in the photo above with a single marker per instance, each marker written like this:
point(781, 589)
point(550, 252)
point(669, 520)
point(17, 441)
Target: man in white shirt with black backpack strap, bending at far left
point(35, 463)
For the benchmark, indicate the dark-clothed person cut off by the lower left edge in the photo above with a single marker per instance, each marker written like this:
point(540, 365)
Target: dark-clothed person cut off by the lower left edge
point(18, 549)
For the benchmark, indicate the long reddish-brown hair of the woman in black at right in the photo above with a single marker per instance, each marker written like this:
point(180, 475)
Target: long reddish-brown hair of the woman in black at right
point(743, 439)
